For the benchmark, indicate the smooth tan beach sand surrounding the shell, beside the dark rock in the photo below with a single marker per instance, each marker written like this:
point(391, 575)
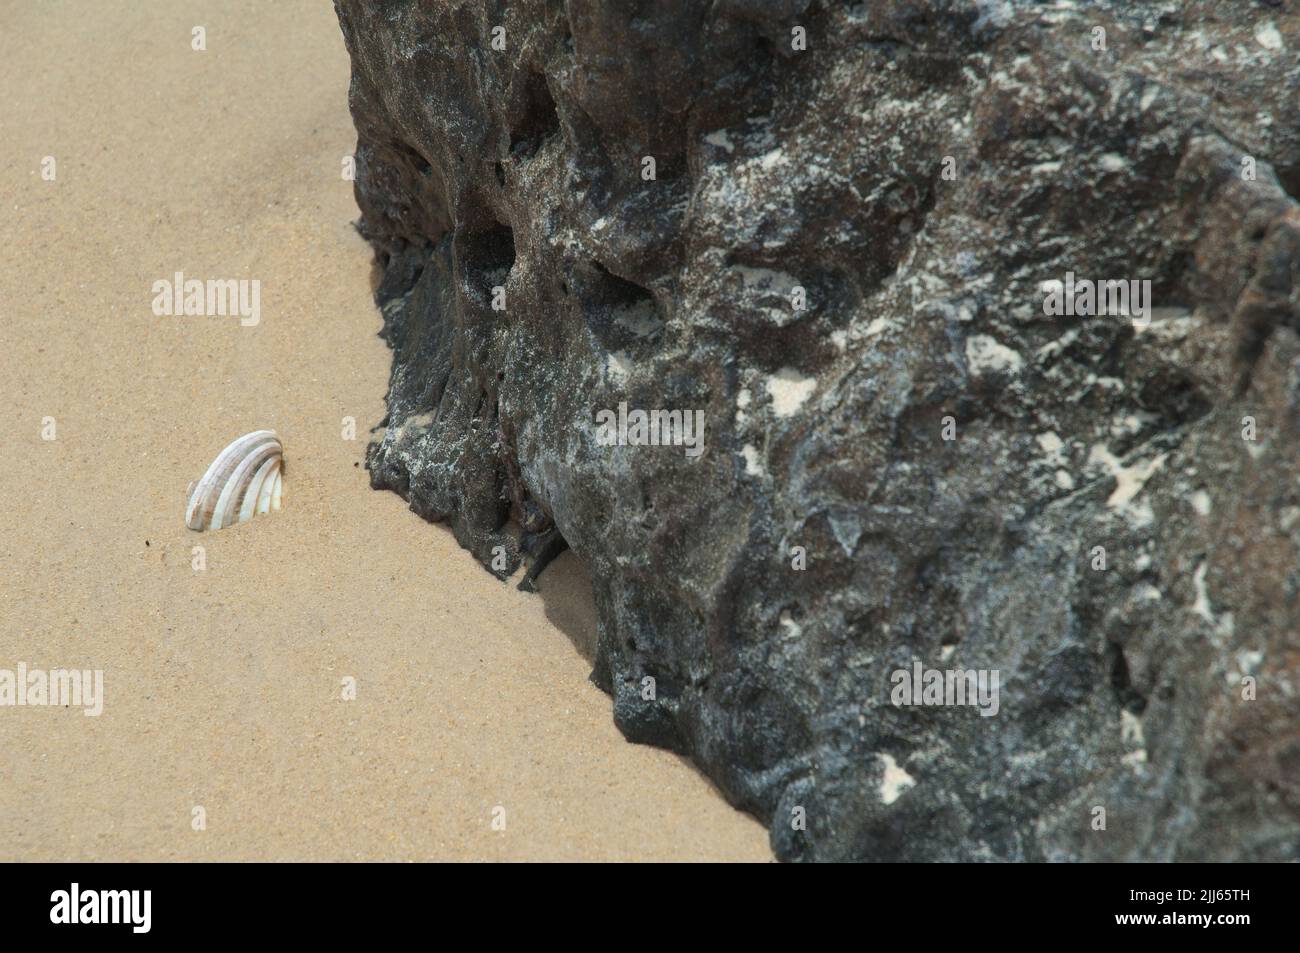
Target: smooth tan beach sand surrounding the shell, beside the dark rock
point(223, 688)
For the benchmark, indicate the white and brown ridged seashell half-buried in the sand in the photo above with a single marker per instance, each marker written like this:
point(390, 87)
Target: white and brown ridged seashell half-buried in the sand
point(242, 482)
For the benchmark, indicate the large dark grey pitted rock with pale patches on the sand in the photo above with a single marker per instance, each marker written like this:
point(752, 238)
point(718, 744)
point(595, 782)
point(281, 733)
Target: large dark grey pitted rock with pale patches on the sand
point(825, 170)
